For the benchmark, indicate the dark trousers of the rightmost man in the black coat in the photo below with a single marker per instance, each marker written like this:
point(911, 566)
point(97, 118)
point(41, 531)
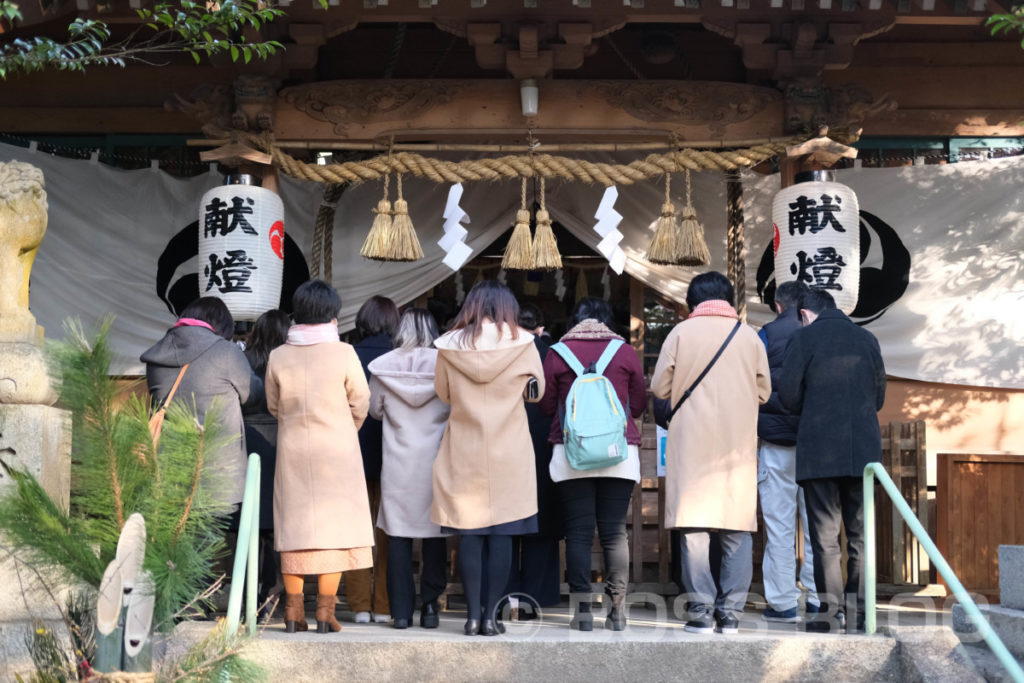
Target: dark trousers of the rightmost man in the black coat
point(831, 502)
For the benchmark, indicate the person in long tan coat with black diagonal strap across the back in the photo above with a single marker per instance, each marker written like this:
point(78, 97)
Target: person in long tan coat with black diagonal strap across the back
point(711, 455)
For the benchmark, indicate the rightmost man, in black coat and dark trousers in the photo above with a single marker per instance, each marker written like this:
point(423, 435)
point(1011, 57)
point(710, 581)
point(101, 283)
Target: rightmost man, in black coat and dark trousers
point(835, 378)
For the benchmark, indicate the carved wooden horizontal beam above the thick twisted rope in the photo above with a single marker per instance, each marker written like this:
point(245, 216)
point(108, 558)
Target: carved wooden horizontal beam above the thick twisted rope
point(485, 110)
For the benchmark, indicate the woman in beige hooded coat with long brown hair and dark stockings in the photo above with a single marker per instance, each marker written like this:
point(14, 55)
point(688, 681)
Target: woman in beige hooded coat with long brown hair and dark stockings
point(485, 476)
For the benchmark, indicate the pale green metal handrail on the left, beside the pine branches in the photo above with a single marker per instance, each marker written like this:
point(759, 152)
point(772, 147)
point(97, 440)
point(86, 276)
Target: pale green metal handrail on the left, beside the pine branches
point(246, 554)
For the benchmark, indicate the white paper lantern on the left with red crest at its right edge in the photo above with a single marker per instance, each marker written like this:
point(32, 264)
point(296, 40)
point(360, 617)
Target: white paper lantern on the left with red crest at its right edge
point(242, 249)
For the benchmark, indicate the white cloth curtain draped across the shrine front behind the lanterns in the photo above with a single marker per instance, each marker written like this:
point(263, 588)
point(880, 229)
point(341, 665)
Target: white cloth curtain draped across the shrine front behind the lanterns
point(942, 282)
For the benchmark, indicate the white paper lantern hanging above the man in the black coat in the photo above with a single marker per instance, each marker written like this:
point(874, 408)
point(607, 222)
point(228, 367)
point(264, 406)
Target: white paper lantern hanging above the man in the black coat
point(818, 239)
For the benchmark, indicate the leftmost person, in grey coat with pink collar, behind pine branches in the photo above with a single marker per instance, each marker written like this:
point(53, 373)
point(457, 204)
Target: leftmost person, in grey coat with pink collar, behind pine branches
point(212, 371)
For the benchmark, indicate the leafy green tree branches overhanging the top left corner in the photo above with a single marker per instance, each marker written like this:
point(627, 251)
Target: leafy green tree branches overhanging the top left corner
point(169, 28)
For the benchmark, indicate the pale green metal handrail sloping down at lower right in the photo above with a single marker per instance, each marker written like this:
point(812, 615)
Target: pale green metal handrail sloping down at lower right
point(874, 471)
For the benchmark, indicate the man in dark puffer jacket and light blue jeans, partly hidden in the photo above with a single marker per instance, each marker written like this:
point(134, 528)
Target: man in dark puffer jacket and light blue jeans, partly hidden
point(782, 498)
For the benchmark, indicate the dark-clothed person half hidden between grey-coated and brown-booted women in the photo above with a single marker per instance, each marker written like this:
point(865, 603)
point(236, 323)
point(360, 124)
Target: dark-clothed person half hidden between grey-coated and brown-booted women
point(269, 333)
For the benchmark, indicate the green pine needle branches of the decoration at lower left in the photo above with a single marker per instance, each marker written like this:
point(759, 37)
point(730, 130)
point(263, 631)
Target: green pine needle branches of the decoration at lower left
point(116, 473)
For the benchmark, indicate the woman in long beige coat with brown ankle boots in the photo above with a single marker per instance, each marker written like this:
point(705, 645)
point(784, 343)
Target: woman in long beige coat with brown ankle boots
point(317, 390)
